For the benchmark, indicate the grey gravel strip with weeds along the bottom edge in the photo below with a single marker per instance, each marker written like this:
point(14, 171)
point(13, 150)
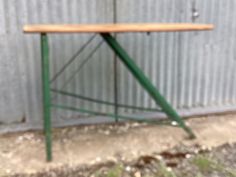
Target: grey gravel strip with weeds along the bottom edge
point(194, 161)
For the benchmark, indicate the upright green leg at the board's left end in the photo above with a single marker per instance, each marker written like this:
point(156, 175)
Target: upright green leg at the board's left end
point(46, 95)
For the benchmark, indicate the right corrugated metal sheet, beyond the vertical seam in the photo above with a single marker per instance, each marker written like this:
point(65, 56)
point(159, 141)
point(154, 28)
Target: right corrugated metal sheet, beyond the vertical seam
point(192, 69)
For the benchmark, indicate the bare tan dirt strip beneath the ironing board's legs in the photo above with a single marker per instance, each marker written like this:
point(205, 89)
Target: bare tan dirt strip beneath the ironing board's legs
point(83, 146)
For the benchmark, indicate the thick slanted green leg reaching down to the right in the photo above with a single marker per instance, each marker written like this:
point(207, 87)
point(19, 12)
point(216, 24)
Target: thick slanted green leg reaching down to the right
point(145, 82)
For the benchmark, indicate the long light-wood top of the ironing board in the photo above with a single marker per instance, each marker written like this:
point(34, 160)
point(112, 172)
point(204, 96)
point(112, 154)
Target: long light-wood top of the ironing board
point(116, 28)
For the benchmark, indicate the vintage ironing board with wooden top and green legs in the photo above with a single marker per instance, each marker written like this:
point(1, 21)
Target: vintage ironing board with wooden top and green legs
point(104, 30)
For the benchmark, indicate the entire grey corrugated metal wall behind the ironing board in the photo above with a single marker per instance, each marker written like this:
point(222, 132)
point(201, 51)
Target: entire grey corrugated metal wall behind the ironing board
point(195, 70)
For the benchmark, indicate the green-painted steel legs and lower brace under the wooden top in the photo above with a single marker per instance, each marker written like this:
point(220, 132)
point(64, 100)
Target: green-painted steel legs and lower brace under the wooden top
point(129, 63)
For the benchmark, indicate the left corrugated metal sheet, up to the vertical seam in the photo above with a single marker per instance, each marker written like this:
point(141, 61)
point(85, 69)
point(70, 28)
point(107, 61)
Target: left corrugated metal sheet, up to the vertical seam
point(20, 57)
